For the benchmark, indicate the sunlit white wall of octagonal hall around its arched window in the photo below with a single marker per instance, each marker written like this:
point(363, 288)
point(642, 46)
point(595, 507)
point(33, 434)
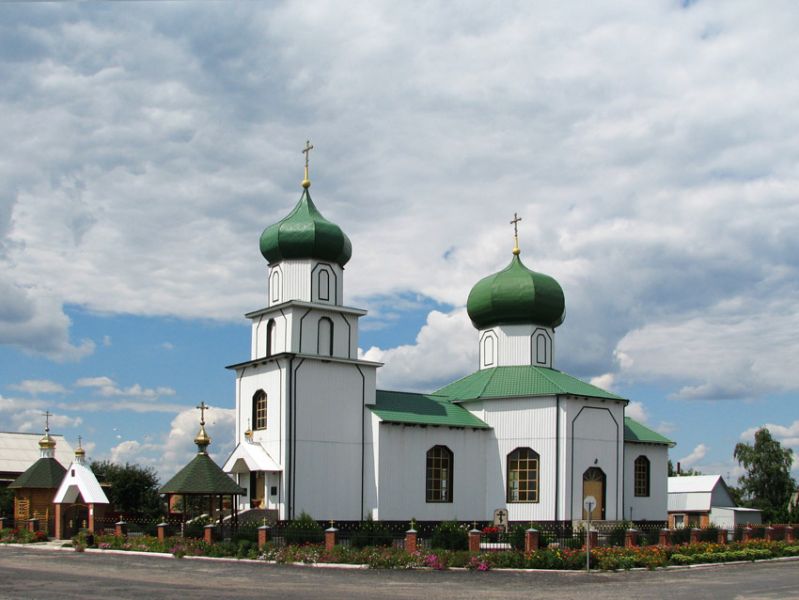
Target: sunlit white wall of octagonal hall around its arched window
point(519, 423)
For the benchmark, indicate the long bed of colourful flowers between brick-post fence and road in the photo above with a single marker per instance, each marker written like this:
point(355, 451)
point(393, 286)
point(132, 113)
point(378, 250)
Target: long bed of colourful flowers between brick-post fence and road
point(604, 558)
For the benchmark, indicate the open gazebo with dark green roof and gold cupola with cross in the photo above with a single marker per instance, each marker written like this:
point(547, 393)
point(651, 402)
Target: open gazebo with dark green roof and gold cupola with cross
point(203, 481)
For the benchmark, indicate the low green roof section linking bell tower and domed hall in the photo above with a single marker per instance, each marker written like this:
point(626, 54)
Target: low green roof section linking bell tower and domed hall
point(422, 409)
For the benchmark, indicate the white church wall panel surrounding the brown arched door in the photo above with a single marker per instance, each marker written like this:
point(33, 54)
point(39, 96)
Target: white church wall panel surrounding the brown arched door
point(595, 438)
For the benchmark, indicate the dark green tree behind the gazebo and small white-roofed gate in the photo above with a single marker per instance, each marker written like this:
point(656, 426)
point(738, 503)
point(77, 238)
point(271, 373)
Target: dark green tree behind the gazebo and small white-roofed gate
point(131, 489)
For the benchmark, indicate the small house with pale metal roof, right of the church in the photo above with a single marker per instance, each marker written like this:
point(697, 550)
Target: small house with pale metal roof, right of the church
point(704, 500)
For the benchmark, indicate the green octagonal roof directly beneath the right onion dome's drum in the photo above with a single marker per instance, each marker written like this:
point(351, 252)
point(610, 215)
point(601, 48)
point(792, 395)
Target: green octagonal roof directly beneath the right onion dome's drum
point(508, 382)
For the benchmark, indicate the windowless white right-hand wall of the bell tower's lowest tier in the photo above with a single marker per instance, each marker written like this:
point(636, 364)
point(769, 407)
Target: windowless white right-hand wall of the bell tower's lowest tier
point(327, 424)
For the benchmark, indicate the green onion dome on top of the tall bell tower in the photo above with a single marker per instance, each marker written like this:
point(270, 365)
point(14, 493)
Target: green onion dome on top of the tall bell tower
point(305, 233)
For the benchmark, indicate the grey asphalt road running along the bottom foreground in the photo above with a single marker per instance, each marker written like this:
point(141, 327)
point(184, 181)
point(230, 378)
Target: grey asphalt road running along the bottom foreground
point(37, 573)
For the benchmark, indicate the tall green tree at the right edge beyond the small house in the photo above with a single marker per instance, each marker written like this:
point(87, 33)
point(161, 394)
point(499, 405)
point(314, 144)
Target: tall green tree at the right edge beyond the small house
point(767, 484)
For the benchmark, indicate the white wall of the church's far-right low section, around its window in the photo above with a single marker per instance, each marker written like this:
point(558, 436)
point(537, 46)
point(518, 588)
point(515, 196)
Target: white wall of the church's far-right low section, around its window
point(654, 506)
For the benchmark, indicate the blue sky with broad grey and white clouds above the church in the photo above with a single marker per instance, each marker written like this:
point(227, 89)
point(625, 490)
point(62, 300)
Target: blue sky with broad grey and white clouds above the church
point(650, 148)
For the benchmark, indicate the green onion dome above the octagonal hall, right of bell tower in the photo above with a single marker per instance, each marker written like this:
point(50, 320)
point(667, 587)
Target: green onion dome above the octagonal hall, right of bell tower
point(516, 295)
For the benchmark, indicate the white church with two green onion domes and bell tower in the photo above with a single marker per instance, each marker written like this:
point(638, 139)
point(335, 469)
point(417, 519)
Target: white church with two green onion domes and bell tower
point(314, 434)
